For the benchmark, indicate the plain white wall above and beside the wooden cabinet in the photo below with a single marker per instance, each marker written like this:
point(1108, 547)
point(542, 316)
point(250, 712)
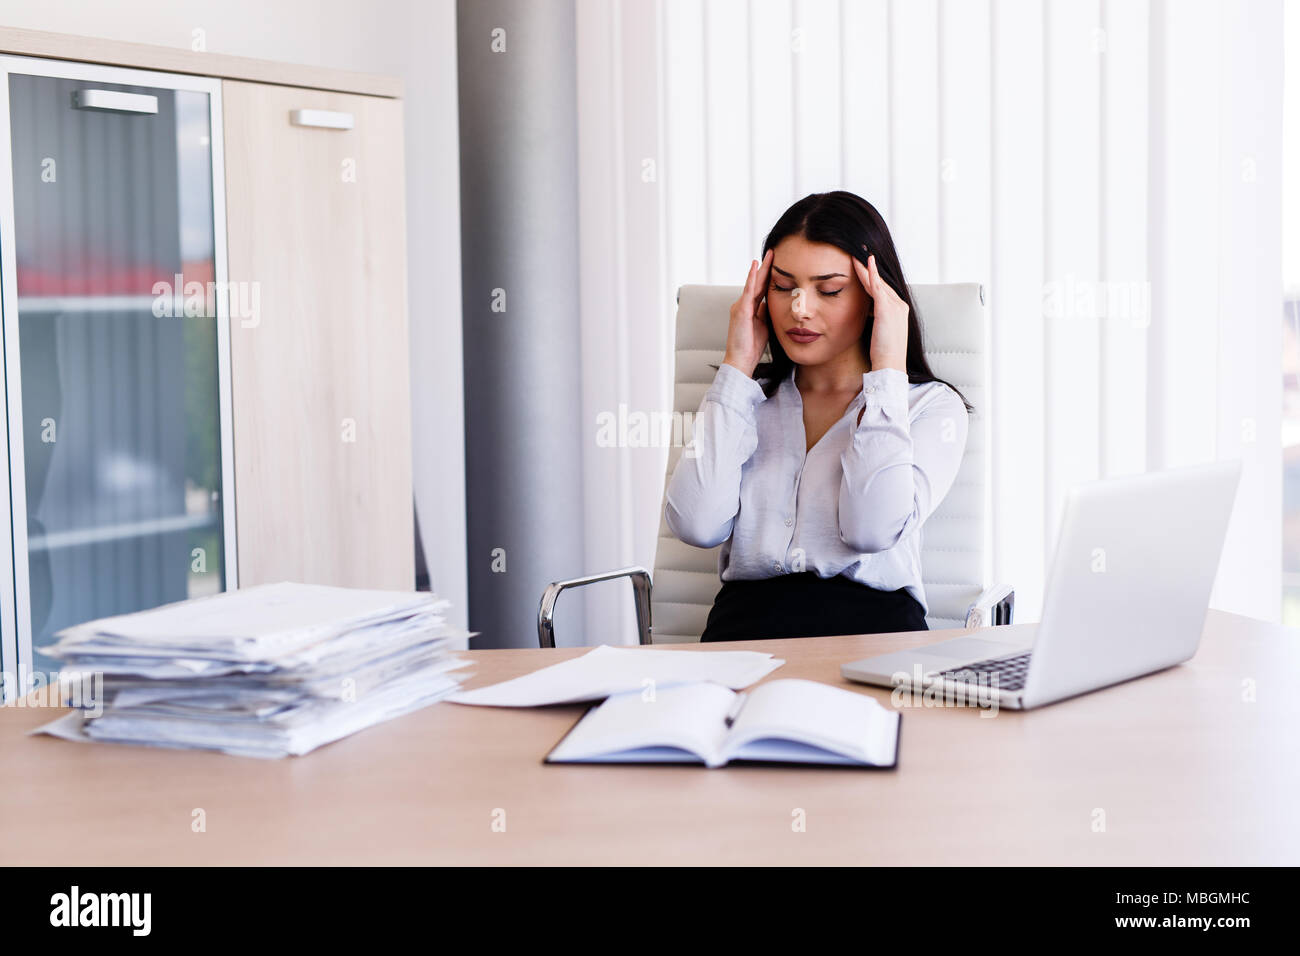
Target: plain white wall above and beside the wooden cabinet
point(413, 40)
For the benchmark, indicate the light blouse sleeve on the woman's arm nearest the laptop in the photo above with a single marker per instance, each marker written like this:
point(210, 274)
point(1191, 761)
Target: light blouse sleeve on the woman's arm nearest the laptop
point(898, 471)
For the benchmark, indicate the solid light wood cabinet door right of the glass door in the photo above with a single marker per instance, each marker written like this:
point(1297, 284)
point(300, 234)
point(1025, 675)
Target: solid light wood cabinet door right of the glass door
point(319, 347)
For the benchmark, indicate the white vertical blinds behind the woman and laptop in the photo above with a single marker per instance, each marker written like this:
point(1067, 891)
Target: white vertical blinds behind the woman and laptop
point(1045, 148)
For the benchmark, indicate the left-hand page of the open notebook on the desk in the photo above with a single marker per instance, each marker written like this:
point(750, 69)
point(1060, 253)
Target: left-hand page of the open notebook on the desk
point(687, 716)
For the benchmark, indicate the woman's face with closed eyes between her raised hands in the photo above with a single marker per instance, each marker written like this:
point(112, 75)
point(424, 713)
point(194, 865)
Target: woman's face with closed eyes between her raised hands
point(814, 288)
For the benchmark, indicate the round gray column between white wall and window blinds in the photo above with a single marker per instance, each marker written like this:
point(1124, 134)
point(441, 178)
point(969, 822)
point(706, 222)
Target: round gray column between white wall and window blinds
point(519, 233)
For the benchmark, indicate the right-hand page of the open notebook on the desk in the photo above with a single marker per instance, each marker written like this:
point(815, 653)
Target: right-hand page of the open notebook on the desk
point(843, 723)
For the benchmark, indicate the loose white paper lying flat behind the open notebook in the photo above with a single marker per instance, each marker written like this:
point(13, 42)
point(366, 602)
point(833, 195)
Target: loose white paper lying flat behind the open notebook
point(608, 671)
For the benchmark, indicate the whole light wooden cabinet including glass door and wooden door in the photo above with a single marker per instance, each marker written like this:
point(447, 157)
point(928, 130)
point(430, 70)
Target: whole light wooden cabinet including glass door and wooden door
point(166, 444)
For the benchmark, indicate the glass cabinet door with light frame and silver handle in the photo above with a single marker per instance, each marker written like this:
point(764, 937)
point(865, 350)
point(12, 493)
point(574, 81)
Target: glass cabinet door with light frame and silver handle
point(118, 391)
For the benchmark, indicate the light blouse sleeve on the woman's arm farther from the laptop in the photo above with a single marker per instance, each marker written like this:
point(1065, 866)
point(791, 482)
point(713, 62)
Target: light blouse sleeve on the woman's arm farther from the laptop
point(704, 494)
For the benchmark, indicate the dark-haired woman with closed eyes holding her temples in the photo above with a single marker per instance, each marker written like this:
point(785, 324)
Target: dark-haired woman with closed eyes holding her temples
point(816, 471)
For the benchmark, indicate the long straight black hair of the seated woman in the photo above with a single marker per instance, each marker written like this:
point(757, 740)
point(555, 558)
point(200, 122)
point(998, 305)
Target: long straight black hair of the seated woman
point(851, 223)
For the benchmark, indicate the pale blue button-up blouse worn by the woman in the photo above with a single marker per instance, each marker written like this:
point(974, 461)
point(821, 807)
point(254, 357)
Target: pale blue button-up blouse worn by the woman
point(852, 505)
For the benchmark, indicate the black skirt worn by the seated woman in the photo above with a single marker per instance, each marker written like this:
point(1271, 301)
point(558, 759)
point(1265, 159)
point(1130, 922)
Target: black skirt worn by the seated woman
point(805, 605)
